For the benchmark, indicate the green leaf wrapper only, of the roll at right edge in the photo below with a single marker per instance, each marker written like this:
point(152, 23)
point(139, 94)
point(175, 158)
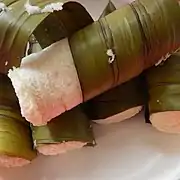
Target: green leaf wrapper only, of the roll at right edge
point(164, 86)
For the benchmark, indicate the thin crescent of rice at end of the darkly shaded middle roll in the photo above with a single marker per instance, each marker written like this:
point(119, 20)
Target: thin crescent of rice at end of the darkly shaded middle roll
point(120, 117)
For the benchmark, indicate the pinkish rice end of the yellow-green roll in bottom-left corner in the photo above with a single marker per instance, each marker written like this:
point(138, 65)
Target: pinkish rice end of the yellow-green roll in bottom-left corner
point(10, 162)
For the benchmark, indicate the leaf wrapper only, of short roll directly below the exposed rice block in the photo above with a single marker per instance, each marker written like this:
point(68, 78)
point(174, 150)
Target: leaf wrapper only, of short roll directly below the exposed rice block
point(72, 125)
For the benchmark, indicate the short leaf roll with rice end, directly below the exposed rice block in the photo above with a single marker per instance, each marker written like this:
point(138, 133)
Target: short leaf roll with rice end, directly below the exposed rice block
point(71, 130)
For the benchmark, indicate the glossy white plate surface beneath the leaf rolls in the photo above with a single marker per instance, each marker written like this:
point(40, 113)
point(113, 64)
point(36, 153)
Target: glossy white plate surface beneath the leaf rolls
point(130, 150)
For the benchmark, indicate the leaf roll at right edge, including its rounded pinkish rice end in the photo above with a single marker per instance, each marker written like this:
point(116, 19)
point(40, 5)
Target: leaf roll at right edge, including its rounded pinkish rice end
point(164, 95)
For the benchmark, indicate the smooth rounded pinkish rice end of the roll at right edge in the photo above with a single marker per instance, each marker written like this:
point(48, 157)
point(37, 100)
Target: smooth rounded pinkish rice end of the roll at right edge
point(168, 122)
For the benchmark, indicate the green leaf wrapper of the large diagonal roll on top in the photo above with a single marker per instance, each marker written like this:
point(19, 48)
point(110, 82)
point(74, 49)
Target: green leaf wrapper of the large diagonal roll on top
point(124, 32)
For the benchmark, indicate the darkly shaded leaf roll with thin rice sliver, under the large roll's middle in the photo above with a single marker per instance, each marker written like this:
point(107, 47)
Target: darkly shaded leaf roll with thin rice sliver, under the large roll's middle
point(118, 104)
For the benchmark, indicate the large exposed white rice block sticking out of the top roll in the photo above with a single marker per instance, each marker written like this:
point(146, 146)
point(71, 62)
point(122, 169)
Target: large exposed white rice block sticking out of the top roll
point(47, 83)
